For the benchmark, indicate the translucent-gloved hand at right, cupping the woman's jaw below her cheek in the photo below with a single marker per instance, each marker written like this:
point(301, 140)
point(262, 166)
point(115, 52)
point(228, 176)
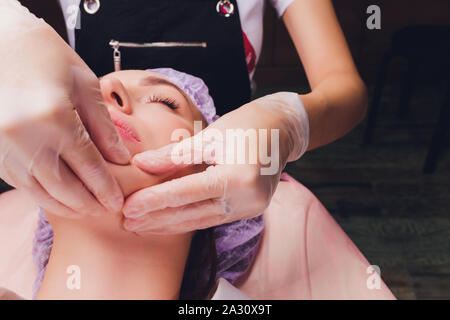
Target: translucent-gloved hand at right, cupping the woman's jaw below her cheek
point(224, 192)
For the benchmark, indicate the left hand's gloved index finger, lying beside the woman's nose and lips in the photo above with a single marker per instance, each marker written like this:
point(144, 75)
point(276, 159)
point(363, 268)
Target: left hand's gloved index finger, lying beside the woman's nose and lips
point(95, 117)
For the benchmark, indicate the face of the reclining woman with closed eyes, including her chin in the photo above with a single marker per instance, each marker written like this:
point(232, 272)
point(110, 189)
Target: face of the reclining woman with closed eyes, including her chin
point(146, 108)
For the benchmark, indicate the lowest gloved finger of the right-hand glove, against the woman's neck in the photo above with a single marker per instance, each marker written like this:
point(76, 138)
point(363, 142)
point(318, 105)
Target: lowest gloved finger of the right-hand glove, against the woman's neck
point(178, 215)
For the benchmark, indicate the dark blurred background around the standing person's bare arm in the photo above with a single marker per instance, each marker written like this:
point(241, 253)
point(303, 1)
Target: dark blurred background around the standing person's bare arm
point(388, 183)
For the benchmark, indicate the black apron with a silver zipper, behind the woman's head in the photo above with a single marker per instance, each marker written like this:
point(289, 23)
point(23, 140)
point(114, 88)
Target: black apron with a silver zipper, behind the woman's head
point(221, 64)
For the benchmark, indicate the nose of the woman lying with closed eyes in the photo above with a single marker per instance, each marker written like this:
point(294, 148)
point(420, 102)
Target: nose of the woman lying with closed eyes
point(115, 94)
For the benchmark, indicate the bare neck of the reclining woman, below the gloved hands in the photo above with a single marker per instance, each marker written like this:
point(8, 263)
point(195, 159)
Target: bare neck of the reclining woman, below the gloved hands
point(86, 263)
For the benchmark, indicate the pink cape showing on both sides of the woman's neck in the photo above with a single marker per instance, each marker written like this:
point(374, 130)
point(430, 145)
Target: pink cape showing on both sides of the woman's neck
point(304, 254)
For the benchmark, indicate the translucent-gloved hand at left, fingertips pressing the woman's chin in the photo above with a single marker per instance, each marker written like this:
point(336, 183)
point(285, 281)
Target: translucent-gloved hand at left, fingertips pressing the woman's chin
point(50, 110)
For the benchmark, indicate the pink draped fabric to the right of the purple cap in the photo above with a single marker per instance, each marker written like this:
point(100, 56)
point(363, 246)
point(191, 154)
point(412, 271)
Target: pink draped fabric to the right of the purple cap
point(304, 254)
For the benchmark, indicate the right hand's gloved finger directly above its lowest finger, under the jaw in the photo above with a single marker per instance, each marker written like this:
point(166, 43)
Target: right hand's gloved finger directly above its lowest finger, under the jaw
point(196, 187)
